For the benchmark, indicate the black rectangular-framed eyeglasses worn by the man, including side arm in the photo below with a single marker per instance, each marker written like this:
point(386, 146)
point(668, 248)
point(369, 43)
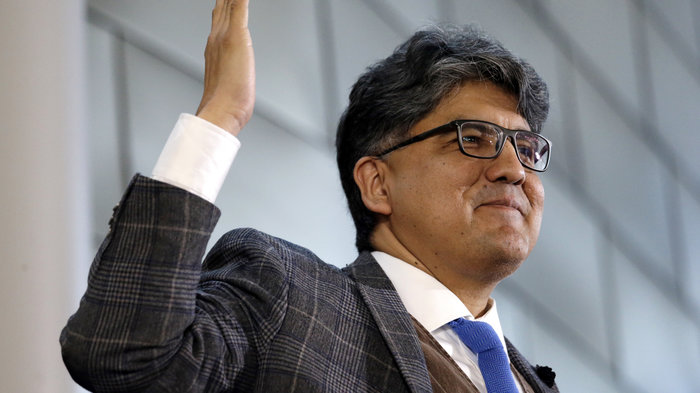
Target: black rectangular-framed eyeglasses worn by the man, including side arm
point(481, 139)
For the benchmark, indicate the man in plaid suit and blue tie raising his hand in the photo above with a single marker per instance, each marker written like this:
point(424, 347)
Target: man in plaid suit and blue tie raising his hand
point(446, 200)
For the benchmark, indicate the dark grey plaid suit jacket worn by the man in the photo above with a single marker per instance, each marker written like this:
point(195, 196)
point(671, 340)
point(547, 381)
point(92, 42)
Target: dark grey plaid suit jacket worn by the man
point(259, 315)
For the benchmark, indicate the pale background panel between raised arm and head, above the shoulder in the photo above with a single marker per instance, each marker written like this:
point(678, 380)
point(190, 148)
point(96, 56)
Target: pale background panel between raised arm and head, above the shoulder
point(283, 186)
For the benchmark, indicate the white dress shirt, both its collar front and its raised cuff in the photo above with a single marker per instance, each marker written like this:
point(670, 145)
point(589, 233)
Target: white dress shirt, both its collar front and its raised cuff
point(197, 157)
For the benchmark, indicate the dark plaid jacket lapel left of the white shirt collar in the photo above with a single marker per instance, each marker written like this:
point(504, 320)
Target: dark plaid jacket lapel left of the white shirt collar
point(393, 320)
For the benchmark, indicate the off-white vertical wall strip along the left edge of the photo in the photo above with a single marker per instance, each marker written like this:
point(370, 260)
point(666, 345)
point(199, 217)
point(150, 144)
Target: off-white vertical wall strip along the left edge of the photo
point(44, 242)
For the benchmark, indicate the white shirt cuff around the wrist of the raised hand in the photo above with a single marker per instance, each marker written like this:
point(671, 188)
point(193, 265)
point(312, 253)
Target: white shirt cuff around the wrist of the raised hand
point(197, 157)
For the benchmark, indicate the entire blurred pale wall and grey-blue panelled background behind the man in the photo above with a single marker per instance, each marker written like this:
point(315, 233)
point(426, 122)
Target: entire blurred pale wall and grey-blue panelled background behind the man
point(610, 298)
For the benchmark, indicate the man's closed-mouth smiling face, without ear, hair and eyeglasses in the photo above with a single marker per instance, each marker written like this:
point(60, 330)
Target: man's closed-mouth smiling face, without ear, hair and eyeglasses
point(464, 218)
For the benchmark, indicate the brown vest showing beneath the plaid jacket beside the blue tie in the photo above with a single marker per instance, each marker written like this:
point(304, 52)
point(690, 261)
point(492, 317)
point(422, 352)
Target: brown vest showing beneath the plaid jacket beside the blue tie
point(445, 374)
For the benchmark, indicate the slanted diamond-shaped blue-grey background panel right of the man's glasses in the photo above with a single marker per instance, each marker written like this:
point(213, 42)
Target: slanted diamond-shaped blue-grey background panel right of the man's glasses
point(623, 176)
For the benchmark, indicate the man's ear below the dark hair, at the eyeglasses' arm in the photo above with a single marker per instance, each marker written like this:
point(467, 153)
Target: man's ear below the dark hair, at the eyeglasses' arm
point(369, 174)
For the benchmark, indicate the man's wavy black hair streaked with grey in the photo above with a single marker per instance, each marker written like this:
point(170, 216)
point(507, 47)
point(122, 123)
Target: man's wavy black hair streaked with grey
point(397, 92)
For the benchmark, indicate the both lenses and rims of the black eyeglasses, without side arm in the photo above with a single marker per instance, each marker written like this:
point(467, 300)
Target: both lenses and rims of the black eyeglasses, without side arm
point(485, 141)
